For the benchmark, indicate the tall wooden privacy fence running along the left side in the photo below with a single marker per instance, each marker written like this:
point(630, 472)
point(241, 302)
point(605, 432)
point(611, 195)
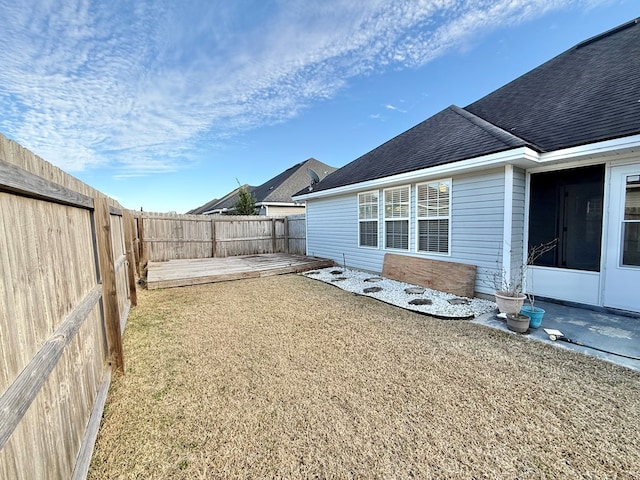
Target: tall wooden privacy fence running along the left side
point(66, 286)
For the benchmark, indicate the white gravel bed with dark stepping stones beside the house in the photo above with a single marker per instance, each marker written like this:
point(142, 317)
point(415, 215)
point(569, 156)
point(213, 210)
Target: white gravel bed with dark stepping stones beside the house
point(393, 292)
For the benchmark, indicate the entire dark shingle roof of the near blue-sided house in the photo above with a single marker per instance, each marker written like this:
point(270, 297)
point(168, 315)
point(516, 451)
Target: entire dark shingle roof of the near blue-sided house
point(587, 94)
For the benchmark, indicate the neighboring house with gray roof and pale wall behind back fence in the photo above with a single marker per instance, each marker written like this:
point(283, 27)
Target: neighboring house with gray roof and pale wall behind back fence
point(274, 197)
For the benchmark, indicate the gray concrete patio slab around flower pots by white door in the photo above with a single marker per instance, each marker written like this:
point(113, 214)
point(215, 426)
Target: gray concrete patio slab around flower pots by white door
point(592, 328)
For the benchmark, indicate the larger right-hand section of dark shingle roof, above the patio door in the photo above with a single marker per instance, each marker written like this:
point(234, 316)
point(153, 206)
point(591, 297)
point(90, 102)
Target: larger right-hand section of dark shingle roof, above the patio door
point(587, 94)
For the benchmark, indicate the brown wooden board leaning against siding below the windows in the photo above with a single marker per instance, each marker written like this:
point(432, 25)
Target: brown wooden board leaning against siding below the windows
point(450, 277)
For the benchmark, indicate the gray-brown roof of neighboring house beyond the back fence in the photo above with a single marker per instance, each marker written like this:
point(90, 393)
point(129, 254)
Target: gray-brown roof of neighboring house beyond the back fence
point(279, 189)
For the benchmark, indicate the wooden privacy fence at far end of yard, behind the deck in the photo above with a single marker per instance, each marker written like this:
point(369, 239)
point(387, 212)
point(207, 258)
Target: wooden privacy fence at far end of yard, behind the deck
point(170, 236)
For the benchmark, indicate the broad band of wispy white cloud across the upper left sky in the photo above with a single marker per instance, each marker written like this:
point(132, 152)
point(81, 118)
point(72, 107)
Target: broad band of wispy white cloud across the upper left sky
point(138, 85)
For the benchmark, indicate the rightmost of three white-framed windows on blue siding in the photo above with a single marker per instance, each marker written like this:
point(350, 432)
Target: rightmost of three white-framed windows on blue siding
point(434, 200)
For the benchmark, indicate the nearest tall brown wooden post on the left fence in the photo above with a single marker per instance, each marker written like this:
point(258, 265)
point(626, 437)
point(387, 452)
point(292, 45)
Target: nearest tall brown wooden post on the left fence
point(108, 279)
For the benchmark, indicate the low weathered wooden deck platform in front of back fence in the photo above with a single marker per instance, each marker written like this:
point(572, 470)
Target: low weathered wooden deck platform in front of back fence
point(180, 273)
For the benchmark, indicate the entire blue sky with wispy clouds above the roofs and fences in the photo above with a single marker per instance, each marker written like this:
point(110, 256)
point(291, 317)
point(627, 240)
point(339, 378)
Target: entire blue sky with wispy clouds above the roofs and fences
point(165, 104)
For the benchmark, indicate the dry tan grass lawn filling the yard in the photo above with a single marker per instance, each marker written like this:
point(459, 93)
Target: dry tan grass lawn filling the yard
point(288, 377)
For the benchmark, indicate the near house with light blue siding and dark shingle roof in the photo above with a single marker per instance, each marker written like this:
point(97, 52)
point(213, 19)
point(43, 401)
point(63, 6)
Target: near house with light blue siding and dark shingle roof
point(555, 154)
